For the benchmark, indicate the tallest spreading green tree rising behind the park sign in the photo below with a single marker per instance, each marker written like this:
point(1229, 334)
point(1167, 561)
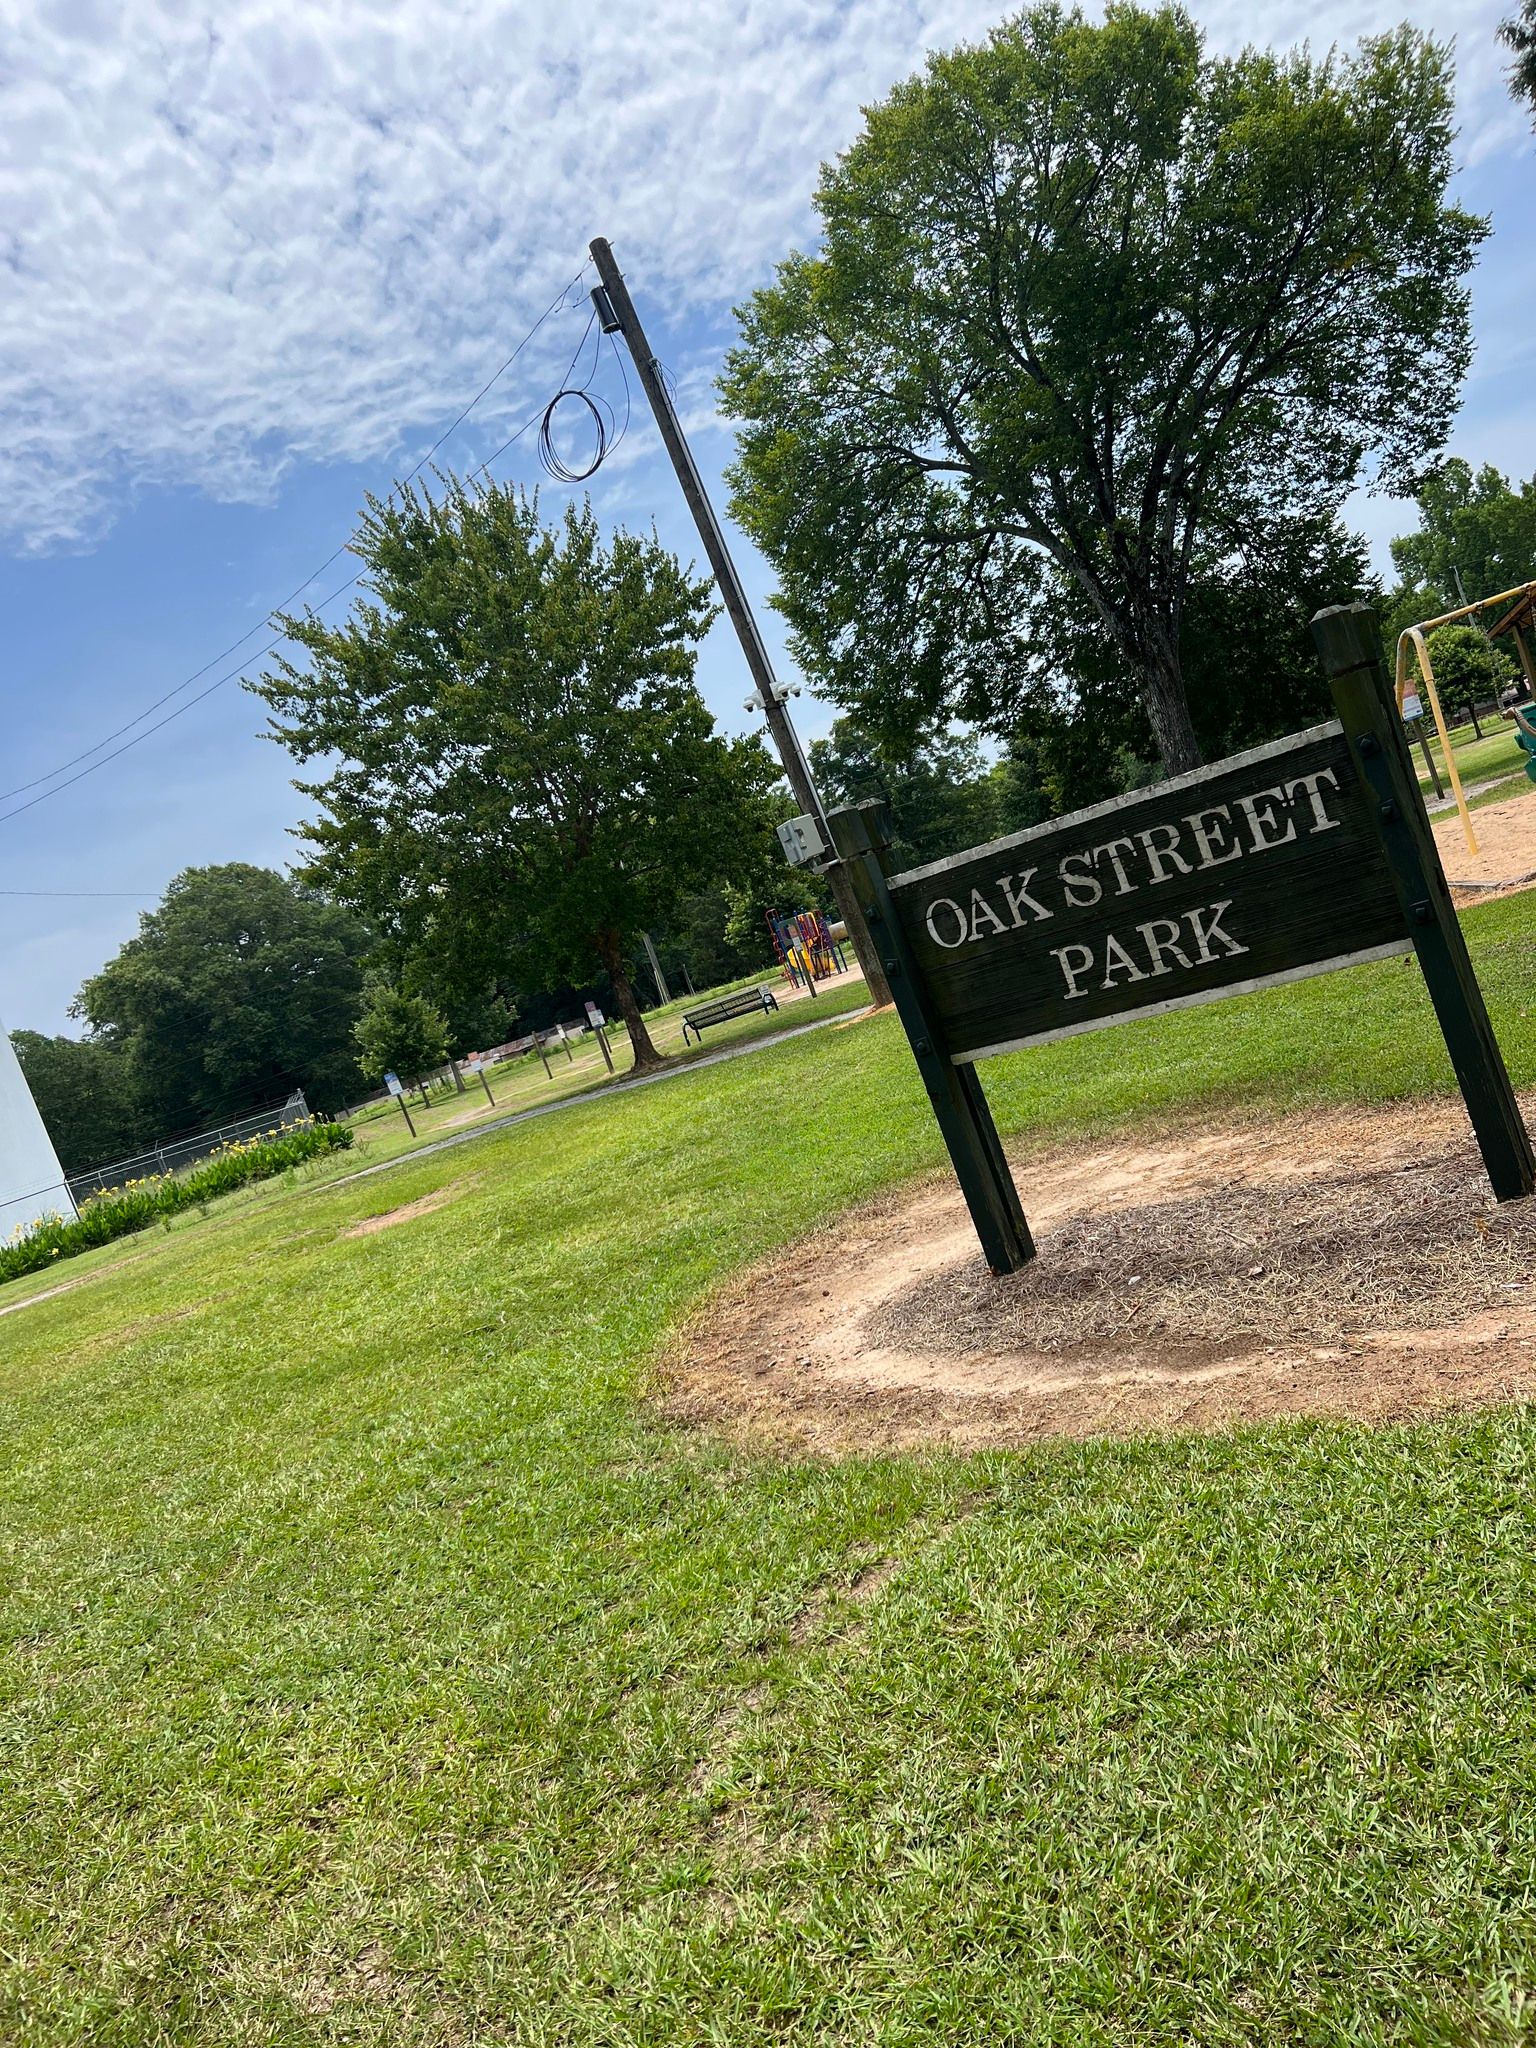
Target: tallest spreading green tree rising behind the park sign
point(1089, 298)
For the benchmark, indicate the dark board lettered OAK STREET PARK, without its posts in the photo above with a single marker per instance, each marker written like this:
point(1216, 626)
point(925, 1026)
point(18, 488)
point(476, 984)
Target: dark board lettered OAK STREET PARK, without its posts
point(1207, 886)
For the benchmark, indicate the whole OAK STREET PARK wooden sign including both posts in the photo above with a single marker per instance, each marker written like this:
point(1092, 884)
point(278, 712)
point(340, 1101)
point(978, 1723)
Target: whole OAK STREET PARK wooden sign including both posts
point(1289, 861)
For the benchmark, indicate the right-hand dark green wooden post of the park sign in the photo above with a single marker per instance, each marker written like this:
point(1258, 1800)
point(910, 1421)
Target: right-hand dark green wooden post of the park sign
point(1349, 642)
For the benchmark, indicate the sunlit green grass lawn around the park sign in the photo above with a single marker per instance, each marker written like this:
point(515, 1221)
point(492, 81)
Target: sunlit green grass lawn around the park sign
point(382, 1670)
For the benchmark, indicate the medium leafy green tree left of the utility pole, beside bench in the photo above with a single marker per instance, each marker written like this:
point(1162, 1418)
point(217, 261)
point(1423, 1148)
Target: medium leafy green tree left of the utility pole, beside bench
point(519, 771)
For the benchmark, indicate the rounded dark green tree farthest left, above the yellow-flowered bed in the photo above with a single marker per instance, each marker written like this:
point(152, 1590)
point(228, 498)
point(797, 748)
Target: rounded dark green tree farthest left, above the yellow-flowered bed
point(237, 990)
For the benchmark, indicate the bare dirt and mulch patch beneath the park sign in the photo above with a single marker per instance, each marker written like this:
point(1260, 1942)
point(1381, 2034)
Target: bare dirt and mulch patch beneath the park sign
point(1336, 1265)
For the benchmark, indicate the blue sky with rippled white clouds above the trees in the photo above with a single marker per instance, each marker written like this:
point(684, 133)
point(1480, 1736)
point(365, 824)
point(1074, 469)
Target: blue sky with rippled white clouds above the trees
point(259, 259)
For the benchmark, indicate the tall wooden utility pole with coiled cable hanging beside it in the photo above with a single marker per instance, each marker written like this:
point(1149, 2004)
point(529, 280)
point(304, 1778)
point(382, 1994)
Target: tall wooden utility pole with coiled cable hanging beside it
point(617, 316)
